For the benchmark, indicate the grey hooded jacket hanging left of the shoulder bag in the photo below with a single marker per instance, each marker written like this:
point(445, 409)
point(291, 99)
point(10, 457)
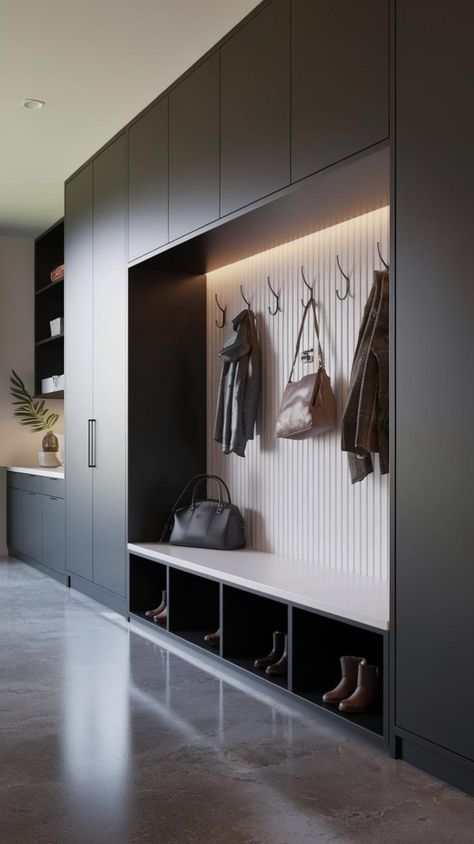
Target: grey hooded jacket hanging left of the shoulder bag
point(239, 387)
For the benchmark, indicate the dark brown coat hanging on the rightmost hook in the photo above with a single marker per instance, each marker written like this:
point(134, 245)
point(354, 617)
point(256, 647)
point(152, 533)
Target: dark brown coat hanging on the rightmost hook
point(365, 419)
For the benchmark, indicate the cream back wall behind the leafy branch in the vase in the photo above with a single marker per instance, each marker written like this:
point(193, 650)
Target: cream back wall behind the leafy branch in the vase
point(18, 446)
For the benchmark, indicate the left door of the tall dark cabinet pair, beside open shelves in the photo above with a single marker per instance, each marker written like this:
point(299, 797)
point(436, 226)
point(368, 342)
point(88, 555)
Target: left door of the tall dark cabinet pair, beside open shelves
point(78, 371)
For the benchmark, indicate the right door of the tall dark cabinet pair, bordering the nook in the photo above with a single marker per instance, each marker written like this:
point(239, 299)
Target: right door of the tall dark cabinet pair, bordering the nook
point(110, 294)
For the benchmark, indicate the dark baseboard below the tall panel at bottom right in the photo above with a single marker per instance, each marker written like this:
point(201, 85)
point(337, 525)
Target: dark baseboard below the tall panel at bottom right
point(440, 763)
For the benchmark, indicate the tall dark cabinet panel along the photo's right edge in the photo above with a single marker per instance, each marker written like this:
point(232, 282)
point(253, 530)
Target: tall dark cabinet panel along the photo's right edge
point(434, 396)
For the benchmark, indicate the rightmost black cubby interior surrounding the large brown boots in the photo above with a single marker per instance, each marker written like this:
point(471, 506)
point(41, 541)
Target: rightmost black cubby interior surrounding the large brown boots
point(318, 644)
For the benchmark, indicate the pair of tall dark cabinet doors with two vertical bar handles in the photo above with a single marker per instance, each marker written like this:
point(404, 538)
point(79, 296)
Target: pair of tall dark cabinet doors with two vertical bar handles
point(96, 356)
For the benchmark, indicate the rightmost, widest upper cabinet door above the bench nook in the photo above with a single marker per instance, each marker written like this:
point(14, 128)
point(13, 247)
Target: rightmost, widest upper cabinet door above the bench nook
point(340, 80)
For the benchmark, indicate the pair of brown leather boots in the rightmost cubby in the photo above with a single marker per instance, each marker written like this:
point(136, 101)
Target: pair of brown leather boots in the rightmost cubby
point(358, 688)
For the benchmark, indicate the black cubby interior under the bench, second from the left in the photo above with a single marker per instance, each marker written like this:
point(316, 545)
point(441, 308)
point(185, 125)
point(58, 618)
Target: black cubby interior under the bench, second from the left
point(194, 606)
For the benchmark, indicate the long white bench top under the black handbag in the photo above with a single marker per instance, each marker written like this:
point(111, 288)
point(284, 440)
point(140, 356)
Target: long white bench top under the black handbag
point(352, 596)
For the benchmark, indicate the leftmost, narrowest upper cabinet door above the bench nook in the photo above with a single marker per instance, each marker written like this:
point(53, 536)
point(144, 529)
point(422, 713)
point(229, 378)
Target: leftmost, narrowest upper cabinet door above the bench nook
point(148, 181)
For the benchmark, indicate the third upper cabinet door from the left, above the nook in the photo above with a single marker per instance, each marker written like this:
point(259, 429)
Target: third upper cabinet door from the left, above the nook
point(255, 108)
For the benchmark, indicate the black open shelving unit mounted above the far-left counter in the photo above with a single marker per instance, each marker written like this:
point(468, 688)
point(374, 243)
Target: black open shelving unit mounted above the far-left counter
point(49, 304)
